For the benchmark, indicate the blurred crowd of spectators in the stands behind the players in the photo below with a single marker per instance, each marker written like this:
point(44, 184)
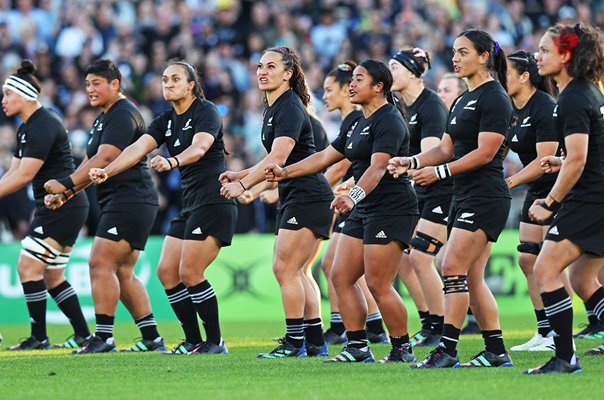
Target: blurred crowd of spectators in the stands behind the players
point(224, 39)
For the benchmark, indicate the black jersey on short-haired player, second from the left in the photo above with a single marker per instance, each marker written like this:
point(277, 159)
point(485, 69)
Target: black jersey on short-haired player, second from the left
point(121, 126)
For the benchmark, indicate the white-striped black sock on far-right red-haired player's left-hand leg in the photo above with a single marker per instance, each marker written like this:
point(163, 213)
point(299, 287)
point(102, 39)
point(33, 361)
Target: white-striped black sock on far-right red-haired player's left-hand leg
point(559, 310)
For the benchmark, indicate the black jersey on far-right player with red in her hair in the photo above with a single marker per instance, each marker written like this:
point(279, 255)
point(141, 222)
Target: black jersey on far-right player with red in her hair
point(580, 109)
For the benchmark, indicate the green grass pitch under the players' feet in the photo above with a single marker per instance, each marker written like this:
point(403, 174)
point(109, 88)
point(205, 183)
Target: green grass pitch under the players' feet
point(56, 374)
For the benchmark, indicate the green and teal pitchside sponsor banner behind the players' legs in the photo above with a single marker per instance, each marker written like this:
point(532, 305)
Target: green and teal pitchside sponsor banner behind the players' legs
point(242, 277)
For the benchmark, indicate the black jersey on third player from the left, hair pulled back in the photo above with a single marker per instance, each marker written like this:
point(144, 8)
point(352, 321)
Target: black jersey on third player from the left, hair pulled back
point(200, 184)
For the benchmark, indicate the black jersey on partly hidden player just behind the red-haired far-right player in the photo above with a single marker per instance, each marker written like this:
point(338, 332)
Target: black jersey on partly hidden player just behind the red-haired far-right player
point(532, 125)
